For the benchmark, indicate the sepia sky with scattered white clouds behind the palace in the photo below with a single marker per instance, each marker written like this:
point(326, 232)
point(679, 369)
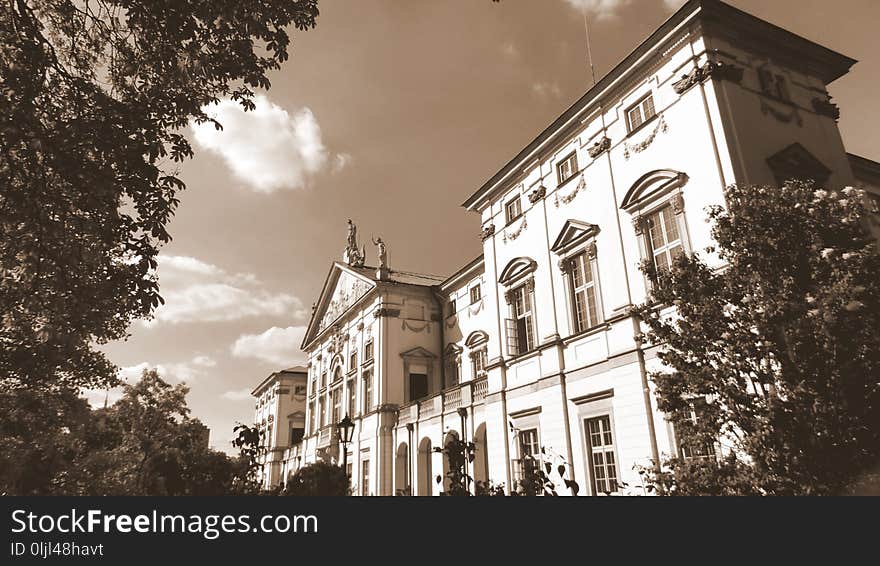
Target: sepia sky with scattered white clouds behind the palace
point(392, 113)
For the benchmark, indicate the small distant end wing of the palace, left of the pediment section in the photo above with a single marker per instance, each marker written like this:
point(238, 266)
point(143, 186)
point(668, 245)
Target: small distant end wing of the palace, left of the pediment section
point(280, 416)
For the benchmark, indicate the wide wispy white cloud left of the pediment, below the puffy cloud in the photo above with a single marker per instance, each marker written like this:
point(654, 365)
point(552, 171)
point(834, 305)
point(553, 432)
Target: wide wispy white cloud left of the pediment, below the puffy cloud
point(195, 291)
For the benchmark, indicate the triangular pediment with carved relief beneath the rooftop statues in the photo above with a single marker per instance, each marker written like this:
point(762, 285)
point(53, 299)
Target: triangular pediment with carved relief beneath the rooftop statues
point(342, 290)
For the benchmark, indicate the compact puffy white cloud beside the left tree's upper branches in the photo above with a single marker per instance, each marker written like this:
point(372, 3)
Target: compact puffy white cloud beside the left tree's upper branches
point(267, 148)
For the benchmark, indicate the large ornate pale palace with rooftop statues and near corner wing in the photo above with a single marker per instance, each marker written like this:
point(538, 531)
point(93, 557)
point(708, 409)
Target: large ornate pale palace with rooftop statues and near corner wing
point(530, 348)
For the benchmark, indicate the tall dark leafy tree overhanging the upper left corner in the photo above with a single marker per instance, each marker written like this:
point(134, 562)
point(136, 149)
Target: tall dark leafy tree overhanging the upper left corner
point(94, 99)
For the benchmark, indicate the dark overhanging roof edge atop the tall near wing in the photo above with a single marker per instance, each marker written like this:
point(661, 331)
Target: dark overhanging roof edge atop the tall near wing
point(828, 64)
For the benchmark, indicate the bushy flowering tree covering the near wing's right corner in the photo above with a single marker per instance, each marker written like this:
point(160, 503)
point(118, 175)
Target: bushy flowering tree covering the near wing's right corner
point(776, 354)
